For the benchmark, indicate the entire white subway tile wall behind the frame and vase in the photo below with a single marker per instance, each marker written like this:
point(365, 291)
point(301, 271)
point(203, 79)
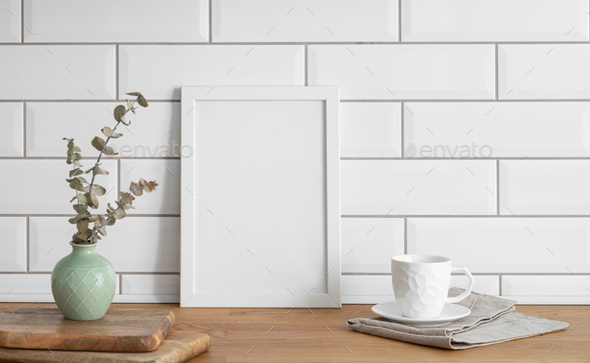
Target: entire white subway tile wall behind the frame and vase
point(413, 74)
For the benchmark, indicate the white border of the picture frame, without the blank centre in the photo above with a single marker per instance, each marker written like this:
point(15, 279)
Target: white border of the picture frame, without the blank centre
point(333, 298)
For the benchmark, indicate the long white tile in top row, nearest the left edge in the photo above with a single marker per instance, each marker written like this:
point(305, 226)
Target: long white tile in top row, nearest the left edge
point(116, 21)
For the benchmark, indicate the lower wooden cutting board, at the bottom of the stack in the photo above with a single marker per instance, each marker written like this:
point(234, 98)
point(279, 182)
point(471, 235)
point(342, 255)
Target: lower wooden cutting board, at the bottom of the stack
point(178, 347)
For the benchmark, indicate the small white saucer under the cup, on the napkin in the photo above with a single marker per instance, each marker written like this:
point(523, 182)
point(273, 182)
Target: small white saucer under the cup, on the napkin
point(450, 313)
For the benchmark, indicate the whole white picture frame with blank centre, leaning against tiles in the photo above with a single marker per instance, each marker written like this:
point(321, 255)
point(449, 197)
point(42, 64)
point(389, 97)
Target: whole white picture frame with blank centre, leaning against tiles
point(260, 197)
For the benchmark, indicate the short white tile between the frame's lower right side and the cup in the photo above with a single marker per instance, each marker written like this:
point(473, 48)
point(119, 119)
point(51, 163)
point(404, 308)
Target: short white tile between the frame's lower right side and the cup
point(369, 243)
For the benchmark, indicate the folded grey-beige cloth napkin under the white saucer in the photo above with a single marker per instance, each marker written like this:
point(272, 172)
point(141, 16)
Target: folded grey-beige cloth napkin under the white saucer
point(491, 321)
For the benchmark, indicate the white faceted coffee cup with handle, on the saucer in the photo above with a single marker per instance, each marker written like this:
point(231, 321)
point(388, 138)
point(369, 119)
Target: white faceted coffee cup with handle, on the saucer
point(421, 283)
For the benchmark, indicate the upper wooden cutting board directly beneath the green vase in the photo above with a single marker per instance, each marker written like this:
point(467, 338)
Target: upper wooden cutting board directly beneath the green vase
point(120, 330)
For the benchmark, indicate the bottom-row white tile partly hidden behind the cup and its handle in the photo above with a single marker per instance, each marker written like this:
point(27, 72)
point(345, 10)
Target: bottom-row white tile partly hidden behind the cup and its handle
point(373, 289)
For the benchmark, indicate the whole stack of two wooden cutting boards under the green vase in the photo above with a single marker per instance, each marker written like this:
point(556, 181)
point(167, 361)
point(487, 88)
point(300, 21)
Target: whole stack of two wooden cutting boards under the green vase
point(41, 334)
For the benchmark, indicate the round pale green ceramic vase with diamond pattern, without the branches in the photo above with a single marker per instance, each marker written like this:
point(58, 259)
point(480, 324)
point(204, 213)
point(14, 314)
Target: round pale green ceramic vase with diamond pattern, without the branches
point(83, 284)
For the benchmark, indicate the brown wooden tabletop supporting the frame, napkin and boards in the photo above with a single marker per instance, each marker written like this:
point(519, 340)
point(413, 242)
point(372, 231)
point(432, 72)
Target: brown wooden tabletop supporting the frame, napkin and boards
point(321, 335)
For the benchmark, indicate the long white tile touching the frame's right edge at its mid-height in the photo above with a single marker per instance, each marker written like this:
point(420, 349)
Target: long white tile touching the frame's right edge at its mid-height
point(418, 187)
